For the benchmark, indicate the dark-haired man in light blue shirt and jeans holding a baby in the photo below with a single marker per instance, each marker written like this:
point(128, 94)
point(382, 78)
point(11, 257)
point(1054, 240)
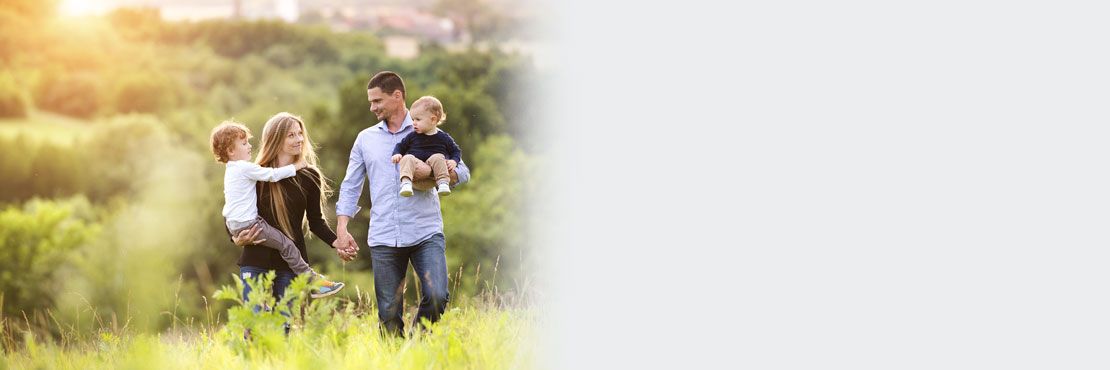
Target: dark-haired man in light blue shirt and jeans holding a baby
point(402, 229)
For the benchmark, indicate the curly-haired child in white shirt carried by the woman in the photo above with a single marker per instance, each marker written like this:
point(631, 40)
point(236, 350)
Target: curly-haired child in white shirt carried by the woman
point(240, 209)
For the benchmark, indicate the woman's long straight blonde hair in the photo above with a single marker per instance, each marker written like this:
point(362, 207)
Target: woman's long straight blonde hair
point(274, 138)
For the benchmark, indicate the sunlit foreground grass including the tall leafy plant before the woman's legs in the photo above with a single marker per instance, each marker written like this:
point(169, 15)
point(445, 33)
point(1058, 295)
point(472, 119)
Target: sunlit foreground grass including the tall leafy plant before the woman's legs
point(481, 335)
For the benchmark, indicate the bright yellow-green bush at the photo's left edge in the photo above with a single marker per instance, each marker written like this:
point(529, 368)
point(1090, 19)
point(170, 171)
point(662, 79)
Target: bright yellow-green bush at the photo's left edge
point(36, 241)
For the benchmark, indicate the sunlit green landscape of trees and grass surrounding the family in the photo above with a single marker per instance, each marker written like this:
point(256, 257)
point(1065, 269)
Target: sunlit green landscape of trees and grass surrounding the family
point(113, 247)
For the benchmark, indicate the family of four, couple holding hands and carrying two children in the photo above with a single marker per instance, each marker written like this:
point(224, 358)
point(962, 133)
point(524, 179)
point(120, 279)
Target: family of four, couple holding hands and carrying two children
point(407, 159)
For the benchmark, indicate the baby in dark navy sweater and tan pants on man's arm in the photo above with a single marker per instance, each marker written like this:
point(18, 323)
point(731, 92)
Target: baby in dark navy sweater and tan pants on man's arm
point(427, 144)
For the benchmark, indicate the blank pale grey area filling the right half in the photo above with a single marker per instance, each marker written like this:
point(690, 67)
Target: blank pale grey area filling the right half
point(815, 185)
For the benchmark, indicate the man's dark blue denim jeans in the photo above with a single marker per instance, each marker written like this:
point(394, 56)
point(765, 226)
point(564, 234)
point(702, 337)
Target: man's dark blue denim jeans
point(390, 265)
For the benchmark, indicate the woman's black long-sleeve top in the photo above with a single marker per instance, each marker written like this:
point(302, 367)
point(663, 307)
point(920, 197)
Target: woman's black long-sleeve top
point(302, 199)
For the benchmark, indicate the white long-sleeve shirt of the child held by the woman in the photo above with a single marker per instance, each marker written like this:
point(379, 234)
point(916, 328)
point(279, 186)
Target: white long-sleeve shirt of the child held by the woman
point(240, 199)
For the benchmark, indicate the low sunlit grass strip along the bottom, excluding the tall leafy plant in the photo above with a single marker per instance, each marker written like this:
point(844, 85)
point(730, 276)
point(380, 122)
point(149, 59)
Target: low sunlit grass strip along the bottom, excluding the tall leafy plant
point(463, 339)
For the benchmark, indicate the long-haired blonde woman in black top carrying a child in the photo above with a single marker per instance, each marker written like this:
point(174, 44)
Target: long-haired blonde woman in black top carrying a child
point(287, 205)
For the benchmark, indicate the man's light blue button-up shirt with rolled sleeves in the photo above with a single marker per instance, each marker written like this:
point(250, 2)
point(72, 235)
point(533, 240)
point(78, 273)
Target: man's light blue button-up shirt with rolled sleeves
point(395, 221)
